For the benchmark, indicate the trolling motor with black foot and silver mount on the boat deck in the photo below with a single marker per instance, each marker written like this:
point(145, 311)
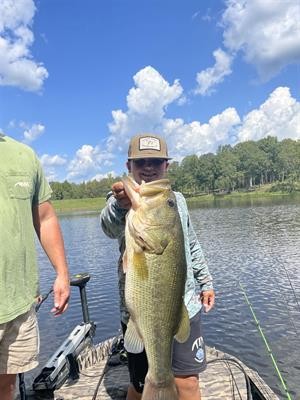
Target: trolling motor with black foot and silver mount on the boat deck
point(63, 363)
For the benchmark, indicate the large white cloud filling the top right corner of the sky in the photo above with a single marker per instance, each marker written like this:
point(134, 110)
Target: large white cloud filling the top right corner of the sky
point(267, 32)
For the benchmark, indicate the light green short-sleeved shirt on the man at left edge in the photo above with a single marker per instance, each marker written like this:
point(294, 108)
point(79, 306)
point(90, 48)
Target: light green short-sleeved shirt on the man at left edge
point(22, 186)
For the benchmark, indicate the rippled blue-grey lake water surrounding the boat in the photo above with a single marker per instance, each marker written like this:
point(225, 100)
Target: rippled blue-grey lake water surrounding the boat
point(255, 244)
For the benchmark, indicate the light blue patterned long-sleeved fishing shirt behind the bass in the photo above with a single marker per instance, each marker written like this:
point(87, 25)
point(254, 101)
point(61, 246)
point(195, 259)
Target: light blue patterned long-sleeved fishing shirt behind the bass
point(112, 220)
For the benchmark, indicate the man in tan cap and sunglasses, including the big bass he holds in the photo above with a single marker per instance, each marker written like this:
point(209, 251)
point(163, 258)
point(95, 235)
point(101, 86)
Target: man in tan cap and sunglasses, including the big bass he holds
point(164, 280)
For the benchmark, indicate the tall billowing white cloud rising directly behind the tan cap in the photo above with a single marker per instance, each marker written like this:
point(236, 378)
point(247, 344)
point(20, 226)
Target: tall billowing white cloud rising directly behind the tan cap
point(147, 105)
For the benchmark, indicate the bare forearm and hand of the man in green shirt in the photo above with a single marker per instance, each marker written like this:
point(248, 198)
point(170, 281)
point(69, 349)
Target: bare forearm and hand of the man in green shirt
point(48, 231)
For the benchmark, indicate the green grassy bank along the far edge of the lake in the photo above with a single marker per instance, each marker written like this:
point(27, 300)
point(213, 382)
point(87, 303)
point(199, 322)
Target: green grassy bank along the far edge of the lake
point(96, 204)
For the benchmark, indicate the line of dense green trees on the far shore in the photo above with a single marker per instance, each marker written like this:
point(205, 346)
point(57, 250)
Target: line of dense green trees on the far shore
point(241, 167)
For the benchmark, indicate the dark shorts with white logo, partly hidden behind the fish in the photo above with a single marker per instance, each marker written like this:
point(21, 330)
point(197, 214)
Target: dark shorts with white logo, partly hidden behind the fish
point(188, 358)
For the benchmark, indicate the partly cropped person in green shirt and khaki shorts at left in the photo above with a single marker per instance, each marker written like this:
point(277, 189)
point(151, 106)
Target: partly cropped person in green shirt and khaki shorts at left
point(25, 209)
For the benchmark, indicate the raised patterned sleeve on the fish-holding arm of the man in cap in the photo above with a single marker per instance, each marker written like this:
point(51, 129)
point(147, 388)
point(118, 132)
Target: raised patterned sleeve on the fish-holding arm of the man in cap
point(112, 218)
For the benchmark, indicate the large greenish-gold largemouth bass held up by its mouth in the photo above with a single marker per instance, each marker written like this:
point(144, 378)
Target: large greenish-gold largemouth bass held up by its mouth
point(155, 266)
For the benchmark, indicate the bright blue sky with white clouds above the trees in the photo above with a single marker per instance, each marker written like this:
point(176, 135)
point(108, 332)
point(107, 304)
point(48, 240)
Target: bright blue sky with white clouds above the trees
point(79, 77)
